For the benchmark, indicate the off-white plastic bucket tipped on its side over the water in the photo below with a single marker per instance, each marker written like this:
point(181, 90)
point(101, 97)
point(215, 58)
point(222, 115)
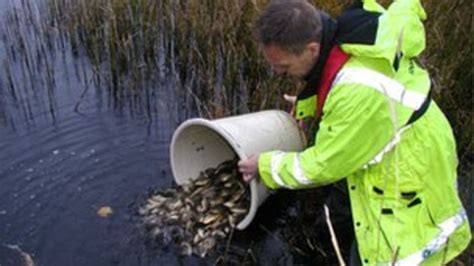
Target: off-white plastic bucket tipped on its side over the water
point(198, 144)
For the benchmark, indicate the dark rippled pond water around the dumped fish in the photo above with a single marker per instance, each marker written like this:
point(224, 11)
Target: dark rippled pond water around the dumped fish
point(68, 147)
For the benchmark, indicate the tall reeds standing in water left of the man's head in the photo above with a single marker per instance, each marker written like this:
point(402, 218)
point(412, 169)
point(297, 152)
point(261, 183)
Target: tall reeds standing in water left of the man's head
point(206, 45)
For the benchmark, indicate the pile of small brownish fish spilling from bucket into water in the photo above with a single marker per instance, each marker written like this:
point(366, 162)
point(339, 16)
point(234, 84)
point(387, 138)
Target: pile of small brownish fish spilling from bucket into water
point(195, 216)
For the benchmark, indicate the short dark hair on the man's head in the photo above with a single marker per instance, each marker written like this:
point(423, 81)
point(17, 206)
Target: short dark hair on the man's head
point(290, 24)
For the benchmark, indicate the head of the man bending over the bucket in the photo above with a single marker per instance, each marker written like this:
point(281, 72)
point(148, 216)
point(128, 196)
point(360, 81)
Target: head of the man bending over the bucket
point(290, 33)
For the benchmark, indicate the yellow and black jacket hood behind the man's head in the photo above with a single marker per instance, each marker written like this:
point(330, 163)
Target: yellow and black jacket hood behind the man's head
point(366, 29)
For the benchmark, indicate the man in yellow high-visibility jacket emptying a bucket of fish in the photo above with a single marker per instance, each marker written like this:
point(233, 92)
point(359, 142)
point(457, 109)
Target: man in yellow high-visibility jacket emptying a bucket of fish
point(378, 127)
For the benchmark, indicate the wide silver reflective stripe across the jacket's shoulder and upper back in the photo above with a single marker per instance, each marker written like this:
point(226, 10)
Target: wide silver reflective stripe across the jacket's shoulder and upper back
point(390, 87)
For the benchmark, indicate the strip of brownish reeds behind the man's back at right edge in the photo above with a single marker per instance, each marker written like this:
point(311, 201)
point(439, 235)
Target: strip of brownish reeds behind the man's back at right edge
point(449, 58)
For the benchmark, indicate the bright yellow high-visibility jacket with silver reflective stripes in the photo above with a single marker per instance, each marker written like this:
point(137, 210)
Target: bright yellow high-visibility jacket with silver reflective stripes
point(401, 174)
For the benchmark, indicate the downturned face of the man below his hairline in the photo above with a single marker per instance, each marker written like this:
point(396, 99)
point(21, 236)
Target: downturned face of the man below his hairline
point(286, 63)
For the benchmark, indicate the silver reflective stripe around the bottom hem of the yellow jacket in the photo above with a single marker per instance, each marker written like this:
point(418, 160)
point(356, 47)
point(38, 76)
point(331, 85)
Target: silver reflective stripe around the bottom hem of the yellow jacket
point(447, 228)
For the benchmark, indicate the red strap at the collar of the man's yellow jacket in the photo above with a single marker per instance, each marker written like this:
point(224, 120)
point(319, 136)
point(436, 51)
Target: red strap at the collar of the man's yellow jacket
point(337, 58)
